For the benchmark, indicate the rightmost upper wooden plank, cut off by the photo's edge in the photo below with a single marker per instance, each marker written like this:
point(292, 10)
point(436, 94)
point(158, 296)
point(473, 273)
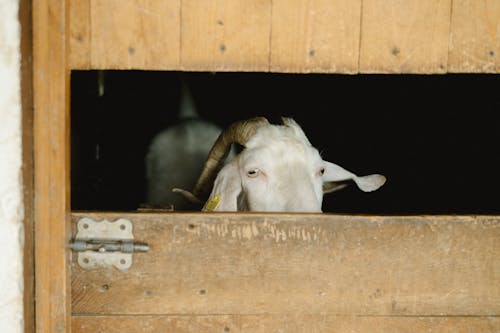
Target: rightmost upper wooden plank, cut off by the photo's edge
point(475, 37)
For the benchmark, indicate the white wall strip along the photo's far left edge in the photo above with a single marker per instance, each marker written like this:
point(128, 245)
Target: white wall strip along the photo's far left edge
point(11, 187)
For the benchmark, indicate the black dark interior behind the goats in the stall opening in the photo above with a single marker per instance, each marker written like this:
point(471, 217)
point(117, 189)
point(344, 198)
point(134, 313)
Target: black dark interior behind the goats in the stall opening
point(435, 137)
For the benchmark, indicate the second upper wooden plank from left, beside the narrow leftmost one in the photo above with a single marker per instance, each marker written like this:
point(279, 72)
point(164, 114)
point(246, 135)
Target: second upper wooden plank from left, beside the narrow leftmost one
point(135, 34)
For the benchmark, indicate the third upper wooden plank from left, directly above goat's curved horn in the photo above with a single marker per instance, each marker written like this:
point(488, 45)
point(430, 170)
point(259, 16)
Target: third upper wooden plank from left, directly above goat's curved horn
point(225, 35)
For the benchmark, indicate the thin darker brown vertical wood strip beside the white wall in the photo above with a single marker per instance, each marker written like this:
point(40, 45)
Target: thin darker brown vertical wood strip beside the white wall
point(25, 9)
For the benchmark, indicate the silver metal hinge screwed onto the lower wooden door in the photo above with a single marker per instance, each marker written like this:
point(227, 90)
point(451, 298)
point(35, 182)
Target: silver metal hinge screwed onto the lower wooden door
point(101, 244)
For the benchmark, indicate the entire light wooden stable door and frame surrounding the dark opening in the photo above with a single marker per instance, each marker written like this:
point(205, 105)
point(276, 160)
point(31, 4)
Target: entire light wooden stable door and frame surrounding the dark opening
point(257, 272)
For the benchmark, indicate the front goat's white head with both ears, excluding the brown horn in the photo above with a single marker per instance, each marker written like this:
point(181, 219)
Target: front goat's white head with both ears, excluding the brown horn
point(279, 171)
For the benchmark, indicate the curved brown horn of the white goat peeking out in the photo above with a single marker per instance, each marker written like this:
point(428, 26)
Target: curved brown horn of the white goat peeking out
point(239, 132)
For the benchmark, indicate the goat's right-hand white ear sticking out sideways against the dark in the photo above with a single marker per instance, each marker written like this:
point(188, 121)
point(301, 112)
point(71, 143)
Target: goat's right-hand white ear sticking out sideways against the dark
point(368, 183)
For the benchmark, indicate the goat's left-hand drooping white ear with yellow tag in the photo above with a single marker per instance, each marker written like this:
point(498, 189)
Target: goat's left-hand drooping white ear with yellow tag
point(227, 187)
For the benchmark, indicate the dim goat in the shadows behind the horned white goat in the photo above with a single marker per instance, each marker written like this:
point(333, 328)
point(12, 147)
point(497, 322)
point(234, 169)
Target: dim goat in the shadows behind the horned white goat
point(176, 155)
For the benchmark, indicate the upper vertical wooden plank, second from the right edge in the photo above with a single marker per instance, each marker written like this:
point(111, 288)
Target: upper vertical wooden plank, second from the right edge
point(409, 36)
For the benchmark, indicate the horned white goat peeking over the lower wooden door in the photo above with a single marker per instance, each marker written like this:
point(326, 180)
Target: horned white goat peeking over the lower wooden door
point(278, 171)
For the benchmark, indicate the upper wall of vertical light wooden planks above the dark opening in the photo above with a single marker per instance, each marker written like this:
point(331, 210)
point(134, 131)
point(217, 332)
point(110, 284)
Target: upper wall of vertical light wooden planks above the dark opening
point(324, 36)
